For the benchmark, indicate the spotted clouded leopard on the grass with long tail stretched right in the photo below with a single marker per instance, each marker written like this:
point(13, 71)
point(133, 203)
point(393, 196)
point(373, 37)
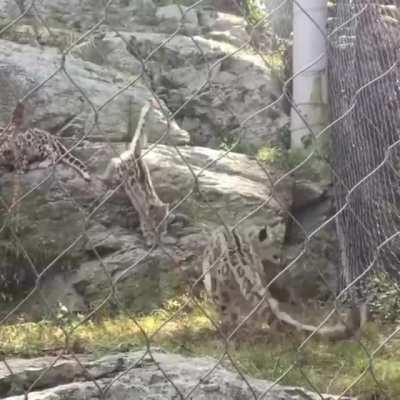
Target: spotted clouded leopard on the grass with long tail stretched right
point(236, 278)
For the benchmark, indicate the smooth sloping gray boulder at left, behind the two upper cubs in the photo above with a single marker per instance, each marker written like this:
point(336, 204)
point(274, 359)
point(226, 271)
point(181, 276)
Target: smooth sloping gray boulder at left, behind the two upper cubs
point(68, 97)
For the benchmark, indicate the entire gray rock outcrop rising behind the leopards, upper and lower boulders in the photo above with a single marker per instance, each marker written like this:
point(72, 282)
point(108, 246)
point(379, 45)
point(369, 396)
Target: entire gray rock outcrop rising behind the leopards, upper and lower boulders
point(94, 96)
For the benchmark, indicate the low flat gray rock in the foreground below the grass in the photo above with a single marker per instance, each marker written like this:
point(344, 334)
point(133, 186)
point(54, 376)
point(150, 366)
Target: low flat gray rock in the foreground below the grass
point(140, 376)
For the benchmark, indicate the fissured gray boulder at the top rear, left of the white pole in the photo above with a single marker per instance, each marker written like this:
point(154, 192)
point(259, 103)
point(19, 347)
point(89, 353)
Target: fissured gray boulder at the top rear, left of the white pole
point(229, 83)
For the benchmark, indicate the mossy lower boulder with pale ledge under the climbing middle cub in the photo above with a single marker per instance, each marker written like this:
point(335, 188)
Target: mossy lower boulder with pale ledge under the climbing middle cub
point(86, 239)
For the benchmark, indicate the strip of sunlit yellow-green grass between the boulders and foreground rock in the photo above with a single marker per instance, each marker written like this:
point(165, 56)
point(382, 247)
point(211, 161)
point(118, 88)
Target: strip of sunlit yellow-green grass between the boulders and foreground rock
point(327, 367)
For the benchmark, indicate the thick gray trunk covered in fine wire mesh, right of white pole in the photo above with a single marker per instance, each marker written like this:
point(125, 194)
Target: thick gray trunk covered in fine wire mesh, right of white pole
point(364, 92)
